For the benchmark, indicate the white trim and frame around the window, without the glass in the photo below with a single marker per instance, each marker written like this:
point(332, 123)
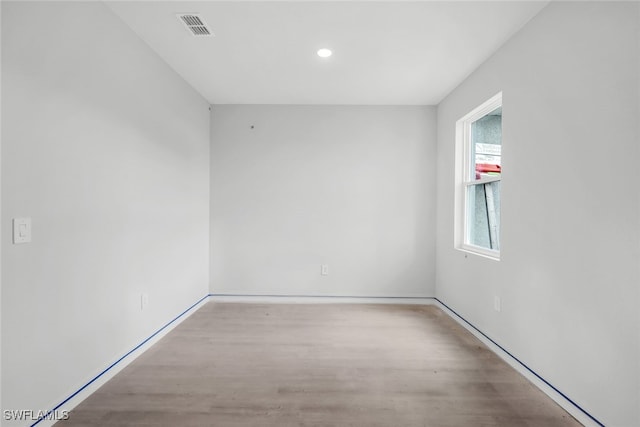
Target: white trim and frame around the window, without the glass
point(463, 178)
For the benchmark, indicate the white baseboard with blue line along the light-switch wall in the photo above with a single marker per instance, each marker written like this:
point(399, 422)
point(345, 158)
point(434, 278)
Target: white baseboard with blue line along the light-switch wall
point(96, 381)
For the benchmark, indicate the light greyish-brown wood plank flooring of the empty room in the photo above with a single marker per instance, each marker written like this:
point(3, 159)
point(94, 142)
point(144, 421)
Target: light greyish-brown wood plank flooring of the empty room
point(318, 365)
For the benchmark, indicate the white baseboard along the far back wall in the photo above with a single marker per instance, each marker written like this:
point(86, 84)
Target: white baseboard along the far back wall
point(320, 299)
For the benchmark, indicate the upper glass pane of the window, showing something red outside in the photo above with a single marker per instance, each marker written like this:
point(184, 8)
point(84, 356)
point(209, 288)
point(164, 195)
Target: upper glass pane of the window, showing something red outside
point(486, 143)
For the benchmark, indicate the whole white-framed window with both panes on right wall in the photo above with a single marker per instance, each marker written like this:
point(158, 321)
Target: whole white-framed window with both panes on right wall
point(478, 178)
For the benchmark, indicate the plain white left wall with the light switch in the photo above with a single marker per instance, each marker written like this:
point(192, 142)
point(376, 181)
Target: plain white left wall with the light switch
point(107, 150)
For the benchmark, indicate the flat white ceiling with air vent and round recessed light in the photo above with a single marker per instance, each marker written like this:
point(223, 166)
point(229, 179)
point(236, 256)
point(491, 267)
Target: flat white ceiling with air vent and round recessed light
point(385, 52)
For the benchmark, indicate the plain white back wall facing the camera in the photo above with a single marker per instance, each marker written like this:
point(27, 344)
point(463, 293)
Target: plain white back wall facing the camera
point(350, 187)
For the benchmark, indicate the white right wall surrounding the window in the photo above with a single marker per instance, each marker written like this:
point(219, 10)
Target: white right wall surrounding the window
point(569, 274)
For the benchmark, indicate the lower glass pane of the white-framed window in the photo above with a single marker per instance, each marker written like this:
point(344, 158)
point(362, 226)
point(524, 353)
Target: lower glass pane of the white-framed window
point(483, 215)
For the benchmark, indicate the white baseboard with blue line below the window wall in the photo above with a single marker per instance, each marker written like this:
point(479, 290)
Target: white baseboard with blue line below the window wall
point(561, 399)
